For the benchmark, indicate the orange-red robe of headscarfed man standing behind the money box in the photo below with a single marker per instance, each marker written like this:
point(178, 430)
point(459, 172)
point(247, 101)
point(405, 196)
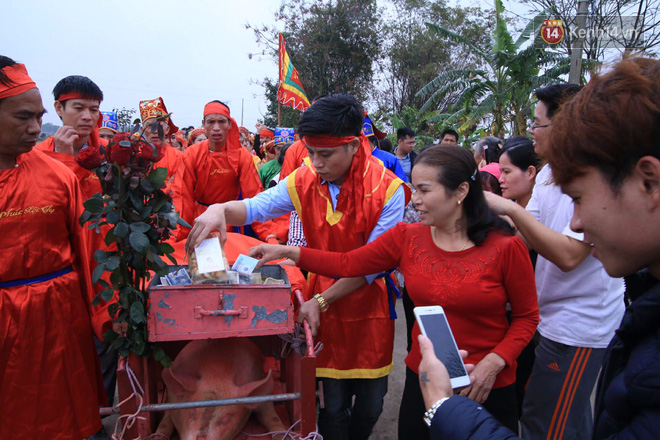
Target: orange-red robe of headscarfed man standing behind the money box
point(206, 177)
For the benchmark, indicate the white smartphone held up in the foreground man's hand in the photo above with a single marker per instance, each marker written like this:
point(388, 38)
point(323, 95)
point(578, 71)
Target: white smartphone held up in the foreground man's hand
point(433, 324)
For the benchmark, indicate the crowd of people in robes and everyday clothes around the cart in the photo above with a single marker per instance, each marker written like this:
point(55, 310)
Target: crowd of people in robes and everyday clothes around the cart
point(523, 241)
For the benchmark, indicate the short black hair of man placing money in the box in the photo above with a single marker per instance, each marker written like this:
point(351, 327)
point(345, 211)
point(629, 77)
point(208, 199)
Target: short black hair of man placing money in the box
point(339, 114)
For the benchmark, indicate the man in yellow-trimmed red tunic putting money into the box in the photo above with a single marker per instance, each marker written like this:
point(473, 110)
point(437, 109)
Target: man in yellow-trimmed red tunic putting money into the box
point(344, 200)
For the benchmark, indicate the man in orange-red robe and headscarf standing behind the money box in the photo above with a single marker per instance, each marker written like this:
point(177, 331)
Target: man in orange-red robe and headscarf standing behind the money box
point(216, 170)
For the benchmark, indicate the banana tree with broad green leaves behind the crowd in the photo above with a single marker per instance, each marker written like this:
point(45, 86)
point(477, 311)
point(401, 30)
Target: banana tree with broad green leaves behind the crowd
point(500, 92)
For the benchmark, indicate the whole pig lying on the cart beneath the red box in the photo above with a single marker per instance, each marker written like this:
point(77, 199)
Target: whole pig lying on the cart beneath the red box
point(217, 369)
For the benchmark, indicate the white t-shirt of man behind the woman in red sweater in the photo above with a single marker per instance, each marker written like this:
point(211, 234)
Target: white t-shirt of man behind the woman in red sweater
point(580, 308)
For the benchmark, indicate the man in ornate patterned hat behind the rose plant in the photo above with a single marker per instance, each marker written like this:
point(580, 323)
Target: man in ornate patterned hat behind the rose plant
point(149, 111)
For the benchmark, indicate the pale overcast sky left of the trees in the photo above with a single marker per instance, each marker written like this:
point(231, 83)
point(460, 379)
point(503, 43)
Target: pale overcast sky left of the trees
point(187, 52)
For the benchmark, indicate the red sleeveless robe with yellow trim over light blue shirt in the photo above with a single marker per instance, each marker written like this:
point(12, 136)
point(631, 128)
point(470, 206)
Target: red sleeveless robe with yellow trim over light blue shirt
point(356, 331)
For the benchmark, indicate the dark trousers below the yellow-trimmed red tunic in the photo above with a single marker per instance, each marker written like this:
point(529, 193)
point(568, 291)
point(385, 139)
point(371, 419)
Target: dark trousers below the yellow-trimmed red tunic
point(351, 407)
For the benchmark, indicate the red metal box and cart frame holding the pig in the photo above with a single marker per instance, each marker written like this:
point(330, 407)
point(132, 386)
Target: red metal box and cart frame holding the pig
point(179, 314)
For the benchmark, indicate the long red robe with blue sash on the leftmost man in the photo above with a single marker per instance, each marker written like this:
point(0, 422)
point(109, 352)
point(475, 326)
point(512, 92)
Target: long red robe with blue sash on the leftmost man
point(50, 384)
